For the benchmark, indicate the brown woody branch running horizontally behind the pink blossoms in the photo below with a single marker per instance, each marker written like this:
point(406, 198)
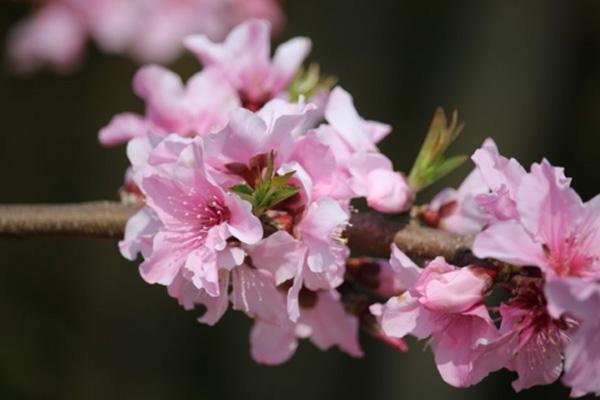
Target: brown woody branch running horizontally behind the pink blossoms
point(369, 233)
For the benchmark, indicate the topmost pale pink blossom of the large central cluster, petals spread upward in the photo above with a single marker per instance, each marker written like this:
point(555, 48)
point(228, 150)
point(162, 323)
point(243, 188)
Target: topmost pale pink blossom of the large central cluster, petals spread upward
point(245, 59)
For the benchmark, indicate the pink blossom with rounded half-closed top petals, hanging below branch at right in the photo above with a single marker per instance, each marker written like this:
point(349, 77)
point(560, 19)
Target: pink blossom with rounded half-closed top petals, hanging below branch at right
point(444, 303)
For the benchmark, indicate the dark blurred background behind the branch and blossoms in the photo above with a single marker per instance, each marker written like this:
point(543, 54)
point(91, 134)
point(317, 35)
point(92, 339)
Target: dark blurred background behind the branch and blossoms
point(78, 322)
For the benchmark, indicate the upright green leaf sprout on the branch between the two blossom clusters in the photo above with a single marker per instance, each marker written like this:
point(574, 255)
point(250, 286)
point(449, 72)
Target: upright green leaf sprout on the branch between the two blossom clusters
point(431, 163)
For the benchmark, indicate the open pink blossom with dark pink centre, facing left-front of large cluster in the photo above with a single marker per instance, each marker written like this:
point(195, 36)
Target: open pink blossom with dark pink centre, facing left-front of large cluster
point(197, 218)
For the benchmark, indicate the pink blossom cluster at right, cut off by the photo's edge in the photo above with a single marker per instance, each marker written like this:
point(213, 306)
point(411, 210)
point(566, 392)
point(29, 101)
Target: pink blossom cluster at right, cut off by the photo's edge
point(536, 241)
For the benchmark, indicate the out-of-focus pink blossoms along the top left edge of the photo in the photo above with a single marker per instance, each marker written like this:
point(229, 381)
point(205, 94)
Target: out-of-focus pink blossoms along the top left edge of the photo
point(147, 30)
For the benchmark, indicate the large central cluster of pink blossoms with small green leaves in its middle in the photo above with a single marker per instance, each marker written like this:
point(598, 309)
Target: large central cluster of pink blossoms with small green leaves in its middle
point(247, 173)
